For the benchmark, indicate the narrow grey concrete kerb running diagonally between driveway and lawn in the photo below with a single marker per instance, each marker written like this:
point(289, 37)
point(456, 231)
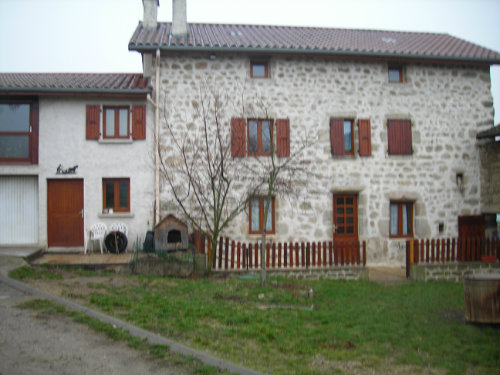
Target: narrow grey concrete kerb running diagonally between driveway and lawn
point(135, 331)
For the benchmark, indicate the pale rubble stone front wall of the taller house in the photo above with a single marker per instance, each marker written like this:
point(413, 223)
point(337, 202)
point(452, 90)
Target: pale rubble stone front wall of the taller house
point(447, 106)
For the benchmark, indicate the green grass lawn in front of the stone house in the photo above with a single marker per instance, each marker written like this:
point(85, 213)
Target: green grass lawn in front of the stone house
point(341, 327)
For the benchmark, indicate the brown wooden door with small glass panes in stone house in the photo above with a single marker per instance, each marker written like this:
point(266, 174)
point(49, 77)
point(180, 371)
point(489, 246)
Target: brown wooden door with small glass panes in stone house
point(345, 217)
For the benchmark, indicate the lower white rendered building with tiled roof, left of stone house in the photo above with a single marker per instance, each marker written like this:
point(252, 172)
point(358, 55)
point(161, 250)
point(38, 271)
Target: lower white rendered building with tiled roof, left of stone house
point(74, 151)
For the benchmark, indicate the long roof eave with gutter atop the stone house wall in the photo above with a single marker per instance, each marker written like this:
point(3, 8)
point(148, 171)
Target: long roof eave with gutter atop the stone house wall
point(378, 55)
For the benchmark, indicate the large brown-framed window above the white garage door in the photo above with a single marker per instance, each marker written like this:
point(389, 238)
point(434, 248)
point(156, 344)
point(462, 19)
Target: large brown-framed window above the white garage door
point(19, 131)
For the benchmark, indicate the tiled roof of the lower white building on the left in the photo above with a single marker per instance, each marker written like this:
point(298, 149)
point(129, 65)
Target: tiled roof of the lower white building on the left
point(81, 83)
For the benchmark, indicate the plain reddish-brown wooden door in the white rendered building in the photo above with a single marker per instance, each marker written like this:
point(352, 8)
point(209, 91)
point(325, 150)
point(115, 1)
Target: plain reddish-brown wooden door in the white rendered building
point(65, 213)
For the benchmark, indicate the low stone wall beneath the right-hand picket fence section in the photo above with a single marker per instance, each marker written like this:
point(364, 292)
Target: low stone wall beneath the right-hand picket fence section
point(450, 271)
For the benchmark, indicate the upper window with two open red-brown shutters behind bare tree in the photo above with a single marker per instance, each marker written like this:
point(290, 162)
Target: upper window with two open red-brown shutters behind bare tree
point(256, 137)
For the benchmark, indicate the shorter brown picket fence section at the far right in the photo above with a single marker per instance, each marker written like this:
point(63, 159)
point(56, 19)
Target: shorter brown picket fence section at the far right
point(445, 250)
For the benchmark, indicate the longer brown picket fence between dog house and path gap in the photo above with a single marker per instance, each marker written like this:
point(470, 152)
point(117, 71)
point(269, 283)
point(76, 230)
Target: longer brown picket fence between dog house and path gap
point(231, 255)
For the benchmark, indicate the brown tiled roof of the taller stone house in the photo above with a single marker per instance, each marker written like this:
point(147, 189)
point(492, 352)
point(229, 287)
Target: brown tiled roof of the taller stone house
point(309, 40)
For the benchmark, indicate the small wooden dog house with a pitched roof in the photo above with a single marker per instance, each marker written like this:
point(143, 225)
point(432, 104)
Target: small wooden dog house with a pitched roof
point(171, 234)
